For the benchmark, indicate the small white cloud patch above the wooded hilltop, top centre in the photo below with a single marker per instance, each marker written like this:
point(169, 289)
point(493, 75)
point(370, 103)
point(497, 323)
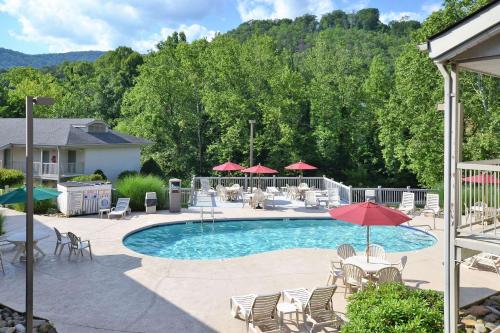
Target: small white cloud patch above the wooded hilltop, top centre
point(276, 9)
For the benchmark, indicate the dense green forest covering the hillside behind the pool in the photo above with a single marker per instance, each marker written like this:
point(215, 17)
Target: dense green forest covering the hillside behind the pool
point(344, 92)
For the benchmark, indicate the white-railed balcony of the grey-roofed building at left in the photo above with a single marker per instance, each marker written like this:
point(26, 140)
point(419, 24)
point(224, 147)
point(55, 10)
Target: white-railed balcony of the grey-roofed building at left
point(50, 170)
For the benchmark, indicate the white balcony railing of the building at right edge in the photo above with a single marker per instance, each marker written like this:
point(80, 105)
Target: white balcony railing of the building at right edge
point(479, 197)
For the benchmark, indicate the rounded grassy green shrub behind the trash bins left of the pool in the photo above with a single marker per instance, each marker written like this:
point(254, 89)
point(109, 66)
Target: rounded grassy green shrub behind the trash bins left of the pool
point(135, 188)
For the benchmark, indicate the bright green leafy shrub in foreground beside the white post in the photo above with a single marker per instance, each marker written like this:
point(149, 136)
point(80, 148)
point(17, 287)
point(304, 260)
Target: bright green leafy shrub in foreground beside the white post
point(394, 308)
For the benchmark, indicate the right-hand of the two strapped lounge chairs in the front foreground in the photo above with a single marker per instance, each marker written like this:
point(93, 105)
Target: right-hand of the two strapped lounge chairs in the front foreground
point(318, 311)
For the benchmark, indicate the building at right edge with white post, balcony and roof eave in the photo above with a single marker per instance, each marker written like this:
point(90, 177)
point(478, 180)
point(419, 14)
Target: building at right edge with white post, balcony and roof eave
point(472, 189)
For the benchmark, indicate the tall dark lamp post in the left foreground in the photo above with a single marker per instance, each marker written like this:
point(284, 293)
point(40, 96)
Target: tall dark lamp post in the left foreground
point(30, 101)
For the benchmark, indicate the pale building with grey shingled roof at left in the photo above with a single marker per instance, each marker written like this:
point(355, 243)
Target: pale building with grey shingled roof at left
point(65, 148)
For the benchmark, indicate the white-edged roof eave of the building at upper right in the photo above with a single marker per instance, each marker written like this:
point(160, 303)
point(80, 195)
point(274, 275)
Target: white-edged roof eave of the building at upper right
point(472, 43)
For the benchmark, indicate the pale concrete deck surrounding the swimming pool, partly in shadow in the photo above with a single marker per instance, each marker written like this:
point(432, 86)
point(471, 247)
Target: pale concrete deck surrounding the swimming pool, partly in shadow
point(124, 291)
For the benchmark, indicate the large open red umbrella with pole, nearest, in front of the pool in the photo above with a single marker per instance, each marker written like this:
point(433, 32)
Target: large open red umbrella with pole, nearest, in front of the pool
point(368, 214)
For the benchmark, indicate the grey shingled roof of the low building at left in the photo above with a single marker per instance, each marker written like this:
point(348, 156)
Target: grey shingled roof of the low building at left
point(61, 132)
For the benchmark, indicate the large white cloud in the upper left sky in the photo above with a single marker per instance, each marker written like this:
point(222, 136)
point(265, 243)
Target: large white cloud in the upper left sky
point(104, 24)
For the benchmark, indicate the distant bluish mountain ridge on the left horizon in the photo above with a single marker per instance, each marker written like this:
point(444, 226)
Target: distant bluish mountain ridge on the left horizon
point(10, 58)
